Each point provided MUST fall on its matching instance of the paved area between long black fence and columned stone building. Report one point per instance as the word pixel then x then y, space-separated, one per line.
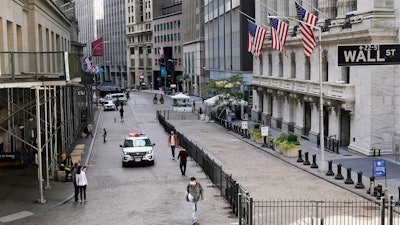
pixel 267 174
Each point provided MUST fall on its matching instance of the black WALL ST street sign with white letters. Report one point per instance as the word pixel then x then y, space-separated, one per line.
pixel 368 54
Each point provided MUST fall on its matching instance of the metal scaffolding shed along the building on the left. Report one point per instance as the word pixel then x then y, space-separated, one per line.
pixel 43 107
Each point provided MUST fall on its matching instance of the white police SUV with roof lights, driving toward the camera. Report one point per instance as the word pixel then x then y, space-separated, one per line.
pixel 137 148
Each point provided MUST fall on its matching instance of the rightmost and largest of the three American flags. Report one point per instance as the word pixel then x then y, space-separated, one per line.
pixel 307 28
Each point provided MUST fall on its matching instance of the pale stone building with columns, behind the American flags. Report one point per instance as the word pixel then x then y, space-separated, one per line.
pixel 360 103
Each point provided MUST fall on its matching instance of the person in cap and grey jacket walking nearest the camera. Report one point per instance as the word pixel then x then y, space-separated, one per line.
pixel 194 193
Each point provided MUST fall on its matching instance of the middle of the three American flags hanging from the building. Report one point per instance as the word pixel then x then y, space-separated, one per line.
pixel 279 30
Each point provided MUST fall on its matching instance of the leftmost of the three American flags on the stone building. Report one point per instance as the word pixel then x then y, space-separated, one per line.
pixel 256 39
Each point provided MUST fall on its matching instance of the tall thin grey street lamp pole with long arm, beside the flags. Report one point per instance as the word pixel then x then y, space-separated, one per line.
pixel 321 100
